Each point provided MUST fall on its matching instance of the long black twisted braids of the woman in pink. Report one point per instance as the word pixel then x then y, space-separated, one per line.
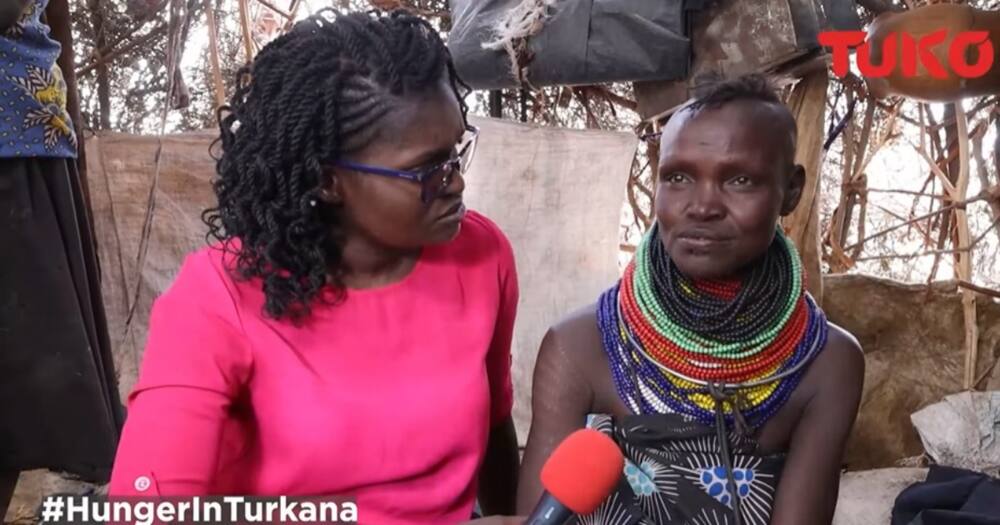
pixel 312 95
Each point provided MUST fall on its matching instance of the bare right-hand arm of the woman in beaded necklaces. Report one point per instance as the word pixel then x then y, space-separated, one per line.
pixel 810 481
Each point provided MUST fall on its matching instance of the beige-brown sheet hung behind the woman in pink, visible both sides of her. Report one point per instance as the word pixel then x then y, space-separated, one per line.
pixel 558 195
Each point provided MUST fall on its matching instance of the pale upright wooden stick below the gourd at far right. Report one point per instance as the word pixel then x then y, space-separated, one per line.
pixel 964 267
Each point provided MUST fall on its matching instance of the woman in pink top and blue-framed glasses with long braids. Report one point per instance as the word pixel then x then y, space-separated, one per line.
pixel 348 332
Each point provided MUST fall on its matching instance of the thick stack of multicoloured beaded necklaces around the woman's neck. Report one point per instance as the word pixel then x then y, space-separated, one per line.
pixel 699 348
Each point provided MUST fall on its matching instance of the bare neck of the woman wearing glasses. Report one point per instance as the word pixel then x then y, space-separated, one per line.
pixel 368 264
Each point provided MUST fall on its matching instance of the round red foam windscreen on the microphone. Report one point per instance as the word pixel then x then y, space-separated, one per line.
pixel 583 470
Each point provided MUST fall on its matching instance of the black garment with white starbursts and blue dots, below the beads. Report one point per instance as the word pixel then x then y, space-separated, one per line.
pixel 675 474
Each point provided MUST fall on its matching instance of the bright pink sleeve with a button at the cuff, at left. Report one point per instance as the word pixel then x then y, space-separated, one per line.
pixel 195 364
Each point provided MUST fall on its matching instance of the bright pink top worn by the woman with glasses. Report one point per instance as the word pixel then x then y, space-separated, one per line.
pixel 387 397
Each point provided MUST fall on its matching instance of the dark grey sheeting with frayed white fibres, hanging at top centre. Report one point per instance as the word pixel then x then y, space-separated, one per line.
pixel 583 42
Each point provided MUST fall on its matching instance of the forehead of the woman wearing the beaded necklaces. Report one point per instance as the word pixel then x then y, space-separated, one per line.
pixel 741 131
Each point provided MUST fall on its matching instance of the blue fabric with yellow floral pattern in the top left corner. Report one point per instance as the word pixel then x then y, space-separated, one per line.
pixel 33 117
